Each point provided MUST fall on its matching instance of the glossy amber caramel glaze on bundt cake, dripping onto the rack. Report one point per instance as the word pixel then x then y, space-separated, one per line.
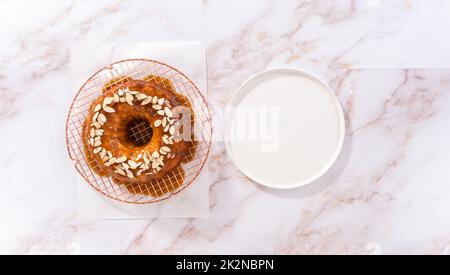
pixel 114 138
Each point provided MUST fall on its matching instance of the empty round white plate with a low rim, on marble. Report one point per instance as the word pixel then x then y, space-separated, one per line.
pixel 284 128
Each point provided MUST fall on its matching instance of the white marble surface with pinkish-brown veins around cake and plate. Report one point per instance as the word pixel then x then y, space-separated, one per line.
pixel 386 60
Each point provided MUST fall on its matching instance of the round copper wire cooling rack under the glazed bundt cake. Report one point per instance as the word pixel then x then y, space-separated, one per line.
pixel 137 69
